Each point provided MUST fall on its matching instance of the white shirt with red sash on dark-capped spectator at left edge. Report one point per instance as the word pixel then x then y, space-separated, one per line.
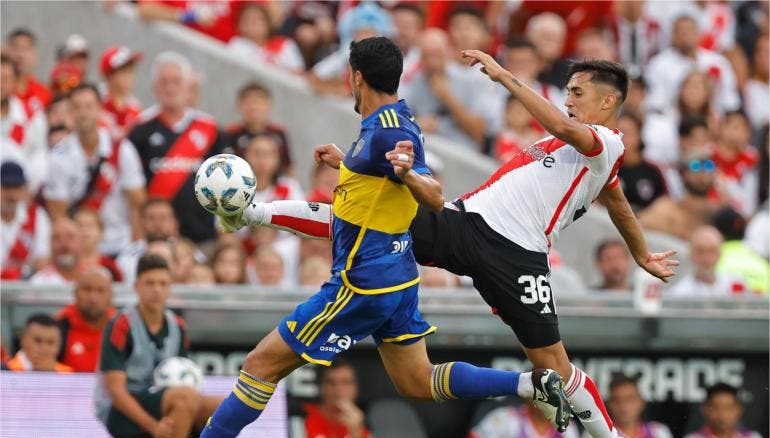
pixel 25 239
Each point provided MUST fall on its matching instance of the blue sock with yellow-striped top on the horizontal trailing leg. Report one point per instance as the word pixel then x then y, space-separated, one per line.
pixel 454 380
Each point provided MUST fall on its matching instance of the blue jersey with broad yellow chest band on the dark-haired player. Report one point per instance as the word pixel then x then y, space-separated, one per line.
pixel 373 208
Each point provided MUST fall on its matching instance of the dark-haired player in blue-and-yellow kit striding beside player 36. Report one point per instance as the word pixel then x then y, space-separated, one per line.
pixel 373 288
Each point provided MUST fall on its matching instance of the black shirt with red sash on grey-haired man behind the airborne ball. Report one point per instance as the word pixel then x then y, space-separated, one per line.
pixel 170 156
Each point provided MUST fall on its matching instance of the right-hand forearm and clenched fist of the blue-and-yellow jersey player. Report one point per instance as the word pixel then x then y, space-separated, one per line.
pixel 425 189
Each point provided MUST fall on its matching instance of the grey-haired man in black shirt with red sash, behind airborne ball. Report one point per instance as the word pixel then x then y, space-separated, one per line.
pixel 172 141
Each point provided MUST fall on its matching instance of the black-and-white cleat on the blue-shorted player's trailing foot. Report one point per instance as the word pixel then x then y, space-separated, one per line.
pixel 550 398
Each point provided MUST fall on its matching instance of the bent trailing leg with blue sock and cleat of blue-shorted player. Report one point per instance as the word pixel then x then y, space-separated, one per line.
pixel 416 378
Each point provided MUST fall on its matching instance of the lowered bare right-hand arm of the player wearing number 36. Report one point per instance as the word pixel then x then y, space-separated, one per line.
pixel 622 216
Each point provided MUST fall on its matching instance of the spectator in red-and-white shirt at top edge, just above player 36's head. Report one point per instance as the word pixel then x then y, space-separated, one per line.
pixel 636 35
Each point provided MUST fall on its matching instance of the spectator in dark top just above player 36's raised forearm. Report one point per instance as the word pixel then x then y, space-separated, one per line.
pixel 548 32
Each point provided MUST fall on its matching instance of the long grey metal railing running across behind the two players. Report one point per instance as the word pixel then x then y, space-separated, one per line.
pixel 222 315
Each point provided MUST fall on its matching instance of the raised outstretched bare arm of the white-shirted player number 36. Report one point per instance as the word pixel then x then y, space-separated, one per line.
pixel 554 121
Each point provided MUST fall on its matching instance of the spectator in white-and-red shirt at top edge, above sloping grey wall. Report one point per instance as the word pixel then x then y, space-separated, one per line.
pixel 256 43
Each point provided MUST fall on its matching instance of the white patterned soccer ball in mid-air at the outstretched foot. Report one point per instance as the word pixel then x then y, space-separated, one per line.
pixel 224 184
